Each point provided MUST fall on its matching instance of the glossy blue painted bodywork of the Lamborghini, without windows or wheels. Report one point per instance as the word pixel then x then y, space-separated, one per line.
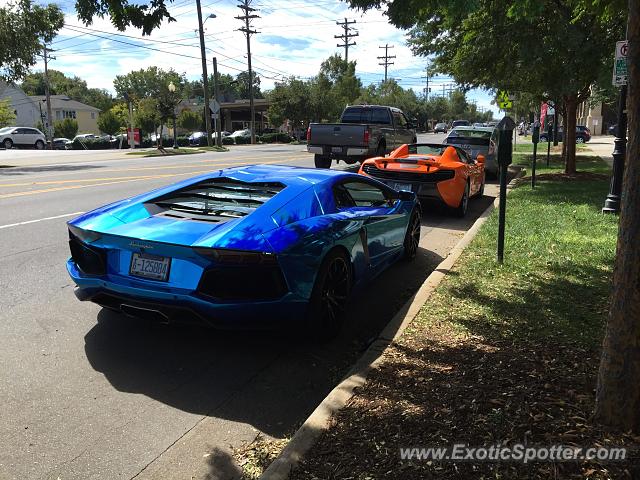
pixel 299 225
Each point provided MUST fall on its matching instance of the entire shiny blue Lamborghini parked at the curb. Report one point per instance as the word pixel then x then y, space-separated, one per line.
pixel 239 245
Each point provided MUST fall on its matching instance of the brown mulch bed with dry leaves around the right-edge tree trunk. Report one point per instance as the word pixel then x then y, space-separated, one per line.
pixel 437 387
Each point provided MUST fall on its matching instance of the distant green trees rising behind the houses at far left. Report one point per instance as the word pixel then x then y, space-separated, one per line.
pixel 73 87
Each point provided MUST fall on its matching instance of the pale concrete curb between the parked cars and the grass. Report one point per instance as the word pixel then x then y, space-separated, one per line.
pixel 310 431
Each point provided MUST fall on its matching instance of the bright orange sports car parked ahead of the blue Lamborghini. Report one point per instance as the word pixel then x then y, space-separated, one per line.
pixel 443 172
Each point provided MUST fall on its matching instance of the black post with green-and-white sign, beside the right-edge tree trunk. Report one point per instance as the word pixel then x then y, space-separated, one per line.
pixel 612 202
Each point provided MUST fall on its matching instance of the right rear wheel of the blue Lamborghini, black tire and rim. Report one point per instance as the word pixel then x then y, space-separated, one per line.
pixel 329 296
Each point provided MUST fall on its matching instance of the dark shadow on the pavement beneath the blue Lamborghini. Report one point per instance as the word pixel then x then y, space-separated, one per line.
pixel 271 380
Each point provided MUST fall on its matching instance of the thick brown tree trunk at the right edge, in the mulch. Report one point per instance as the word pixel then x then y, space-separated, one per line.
pixel 618 390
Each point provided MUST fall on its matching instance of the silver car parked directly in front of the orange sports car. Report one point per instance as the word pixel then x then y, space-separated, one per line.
pixel 476 141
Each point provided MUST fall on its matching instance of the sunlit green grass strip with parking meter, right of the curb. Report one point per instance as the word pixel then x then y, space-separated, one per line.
pixel 555 281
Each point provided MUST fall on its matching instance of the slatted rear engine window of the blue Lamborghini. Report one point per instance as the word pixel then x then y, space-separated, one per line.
pixel 222 198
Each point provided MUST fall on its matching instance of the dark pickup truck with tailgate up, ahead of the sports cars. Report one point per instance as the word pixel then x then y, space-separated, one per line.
pixel 364 131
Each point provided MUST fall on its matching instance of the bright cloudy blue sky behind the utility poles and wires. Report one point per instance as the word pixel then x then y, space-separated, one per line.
pixel 294 38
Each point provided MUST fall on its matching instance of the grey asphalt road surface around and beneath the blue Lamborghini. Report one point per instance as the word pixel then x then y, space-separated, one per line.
pixel 88 394
